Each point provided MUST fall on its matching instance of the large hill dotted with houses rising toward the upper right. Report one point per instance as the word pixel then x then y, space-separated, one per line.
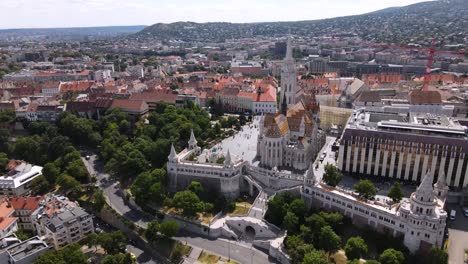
pixel 445 19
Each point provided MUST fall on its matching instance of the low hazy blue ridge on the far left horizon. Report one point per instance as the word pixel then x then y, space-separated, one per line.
pixel 67 32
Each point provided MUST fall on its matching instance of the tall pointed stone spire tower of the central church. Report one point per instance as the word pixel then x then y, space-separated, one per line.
pixel 288 79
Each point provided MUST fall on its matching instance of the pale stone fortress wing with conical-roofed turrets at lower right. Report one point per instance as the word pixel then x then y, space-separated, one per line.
pixel 419 220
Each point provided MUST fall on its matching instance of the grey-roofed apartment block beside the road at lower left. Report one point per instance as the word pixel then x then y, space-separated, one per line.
pixel 61 221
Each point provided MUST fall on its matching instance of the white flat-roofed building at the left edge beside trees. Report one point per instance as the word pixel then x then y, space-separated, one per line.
pixel 19 177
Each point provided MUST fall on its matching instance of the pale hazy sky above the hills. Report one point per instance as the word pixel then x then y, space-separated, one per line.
pixel 88 13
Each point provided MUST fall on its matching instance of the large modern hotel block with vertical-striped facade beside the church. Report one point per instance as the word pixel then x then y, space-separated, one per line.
pixel 404 147
